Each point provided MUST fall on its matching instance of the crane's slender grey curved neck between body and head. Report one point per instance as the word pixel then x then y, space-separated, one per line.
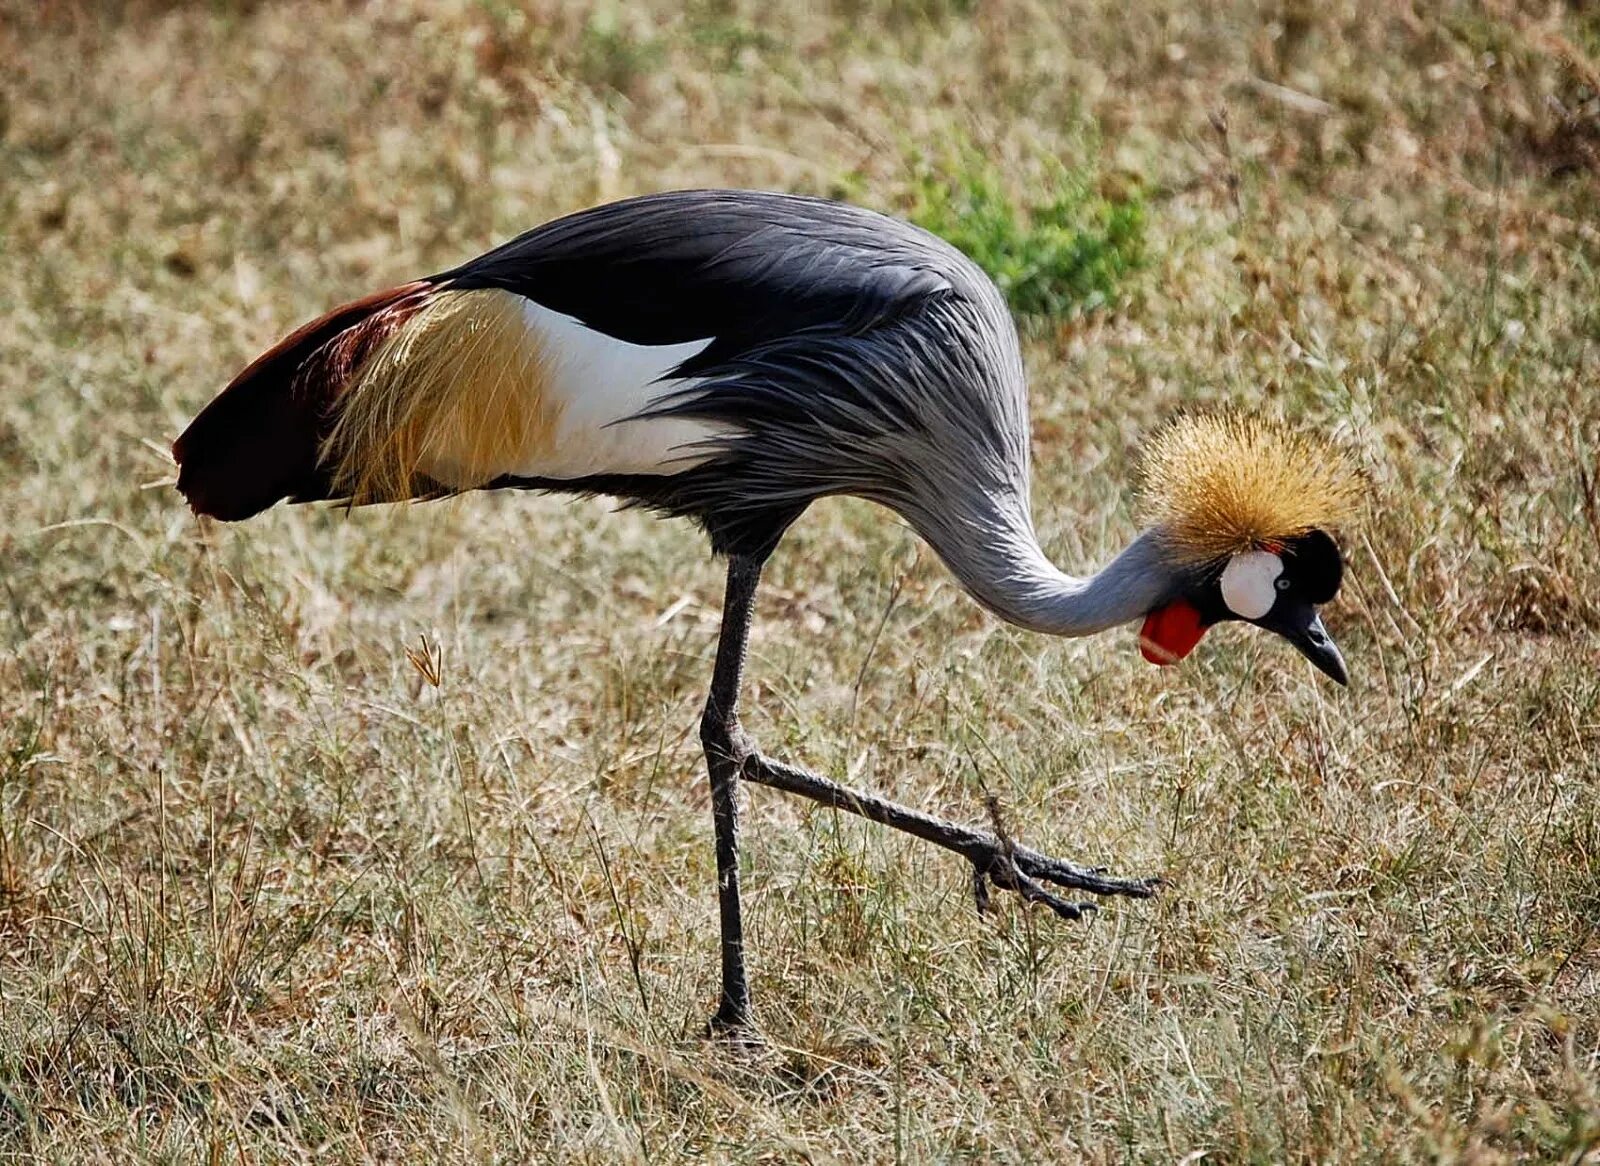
pixel 991 548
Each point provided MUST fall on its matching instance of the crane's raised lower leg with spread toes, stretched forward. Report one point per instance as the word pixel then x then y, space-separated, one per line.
pixel 996 860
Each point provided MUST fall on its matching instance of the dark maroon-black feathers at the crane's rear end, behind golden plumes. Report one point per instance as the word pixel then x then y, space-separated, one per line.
pixel 260 441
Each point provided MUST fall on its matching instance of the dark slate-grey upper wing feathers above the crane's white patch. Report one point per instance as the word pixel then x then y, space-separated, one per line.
pixel 738 268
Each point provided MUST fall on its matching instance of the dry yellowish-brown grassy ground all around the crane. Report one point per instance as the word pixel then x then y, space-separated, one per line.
pixel 271 893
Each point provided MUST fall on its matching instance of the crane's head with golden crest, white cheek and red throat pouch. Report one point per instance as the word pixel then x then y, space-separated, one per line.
pixel 1242 511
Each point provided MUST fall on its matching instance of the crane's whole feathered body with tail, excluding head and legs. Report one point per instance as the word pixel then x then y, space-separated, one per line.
pixel 729 356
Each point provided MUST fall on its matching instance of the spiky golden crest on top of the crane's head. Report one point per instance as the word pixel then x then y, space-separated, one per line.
pixel 1223 484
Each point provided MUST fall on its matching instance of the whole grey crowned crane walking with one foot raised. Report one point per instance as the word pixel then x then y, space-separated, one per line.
pixel 732 357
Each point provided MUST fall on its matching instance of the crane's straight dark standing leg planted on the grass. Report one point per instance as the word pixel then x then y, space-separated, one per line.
pixel 727 748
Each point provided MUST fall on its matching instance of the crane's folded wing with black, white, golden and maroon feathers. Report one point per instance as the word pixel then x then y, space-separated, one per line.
pixel 554 356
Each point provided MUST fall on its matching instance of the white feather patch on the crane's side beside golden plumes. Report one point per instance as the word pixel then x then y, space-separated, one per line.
pixel 598 383
